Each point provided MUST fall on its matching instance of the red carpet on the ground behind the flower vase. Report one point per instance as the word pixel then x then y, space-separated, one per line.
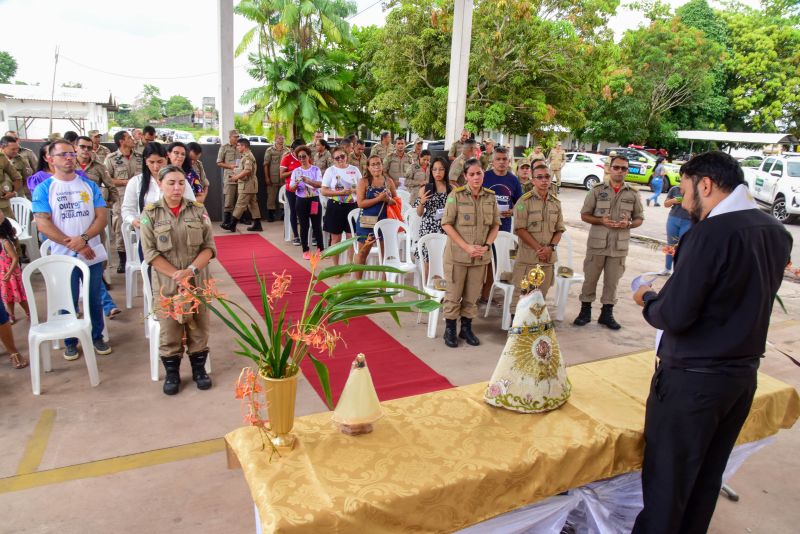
pixel 395 370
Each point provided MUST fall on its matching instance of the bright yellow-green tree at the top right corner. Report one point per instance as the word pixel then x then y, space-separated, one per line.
pixel 764 68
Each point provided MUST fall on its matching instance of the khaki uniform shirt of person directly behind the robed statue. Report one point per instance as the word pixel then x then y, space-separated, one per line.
pixel 542 219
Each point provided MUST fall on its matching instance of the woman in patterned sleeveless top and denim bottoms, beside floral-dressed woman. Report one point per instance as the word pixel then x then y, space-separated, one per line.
pixel 374 192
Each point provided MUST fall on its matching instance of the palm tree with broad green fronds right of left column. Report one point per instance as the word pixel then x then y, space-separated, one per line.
pixel 299 59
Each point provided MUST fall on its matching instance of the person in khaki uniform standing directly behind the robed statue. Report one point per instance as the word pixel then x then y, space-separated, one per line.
pixel 539 223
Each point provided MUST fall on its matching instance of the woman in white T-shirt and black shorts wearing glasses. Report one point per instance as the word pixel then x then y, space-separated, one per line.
pixel 339 185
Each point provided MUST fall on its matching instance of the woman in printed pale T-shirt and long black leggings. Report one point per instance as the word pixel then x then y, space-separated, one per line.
pixel 305 182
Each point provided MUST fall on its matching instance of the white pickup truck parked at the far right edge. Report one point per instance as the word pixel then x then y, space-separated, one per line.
pixel 775 184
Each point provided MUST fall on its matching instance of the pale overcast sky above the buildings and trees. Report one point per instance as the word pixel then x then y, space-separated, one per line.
pixel 167 43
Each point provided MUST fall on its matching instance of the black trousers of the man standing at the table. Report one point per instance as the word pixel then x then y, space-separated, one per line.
pixel 691 425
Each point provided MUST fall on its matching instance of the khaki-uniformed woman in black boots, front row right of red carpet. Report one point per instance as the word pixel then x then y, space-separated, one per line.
pixel 471 221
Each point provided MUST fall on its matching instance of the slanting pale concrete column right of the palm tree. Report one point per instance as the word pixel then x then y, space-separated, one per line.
pixel 459 70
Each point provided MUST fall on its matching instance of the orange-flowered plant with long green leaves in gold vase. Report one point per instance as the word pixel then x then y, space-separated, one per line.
pixel 278 343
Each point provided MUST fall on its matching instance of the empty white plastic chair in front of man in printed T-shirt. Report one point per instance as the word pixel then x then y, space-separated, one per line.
pixel 55 270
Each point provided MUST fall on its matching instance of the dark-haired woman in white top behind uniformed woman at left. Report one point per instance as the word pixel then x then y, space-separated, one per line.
pixel 143 188
